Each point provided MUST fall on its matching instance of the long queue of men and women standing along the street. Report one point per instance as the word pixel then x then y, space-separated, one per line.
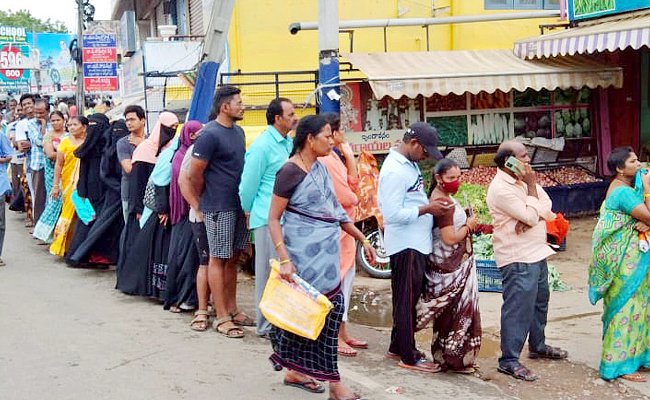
pixel 173 210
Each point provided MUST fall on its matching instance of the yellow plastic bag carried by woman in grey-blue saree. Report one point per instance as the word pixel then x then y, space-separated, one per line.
pixel 294 307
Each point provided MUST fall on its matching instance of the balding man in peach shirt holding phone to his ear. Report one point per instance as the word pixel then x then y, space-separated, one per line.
pixel 520 209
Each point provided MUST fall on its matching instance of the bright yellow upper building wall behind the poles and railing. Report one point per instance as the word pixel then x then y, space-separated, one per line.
pixel 260 41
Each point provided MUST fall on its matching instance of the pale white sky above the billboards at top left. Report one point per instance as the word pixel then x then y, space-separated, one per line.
pixel 64 10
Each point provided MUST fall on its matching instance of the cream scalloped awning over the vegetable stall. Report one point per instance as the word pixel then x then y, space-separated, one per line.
pixel 443 72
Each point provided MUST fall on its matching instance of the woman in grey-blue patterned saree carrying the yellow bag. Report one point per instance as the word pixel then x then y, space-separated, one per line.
pixel 308 244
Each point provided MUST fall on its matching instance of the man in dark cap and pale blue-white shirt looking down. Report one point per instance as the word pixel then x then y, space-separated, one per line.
pixel 408 224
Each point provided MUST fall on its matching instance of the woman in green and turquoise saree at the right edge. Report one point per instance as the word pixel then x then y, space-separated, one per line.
pixel 619 271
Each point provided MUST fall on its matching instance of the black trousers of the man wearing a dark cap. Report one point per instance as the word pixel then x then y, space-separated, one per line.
pixel 407 282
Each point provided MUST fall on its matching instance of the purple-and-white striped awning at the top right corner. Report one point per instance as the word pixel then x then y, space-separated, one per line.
pixel 632 30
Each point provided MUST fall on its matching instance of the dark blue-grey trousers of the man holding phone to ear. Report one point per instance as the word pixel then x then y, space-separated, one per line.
pixel 524 309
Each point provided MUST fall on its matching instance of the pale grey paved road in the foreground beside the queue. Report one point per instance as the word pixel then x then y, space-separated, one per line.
pixel 68 334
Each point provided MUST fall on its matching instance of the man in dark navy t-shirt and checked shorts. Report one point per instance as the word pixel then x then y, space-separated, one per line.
pixel 215 172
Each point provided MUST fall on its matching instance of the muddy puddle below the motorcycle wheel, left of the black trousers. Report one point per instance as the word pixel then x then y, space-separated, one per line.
pixel 371 309
